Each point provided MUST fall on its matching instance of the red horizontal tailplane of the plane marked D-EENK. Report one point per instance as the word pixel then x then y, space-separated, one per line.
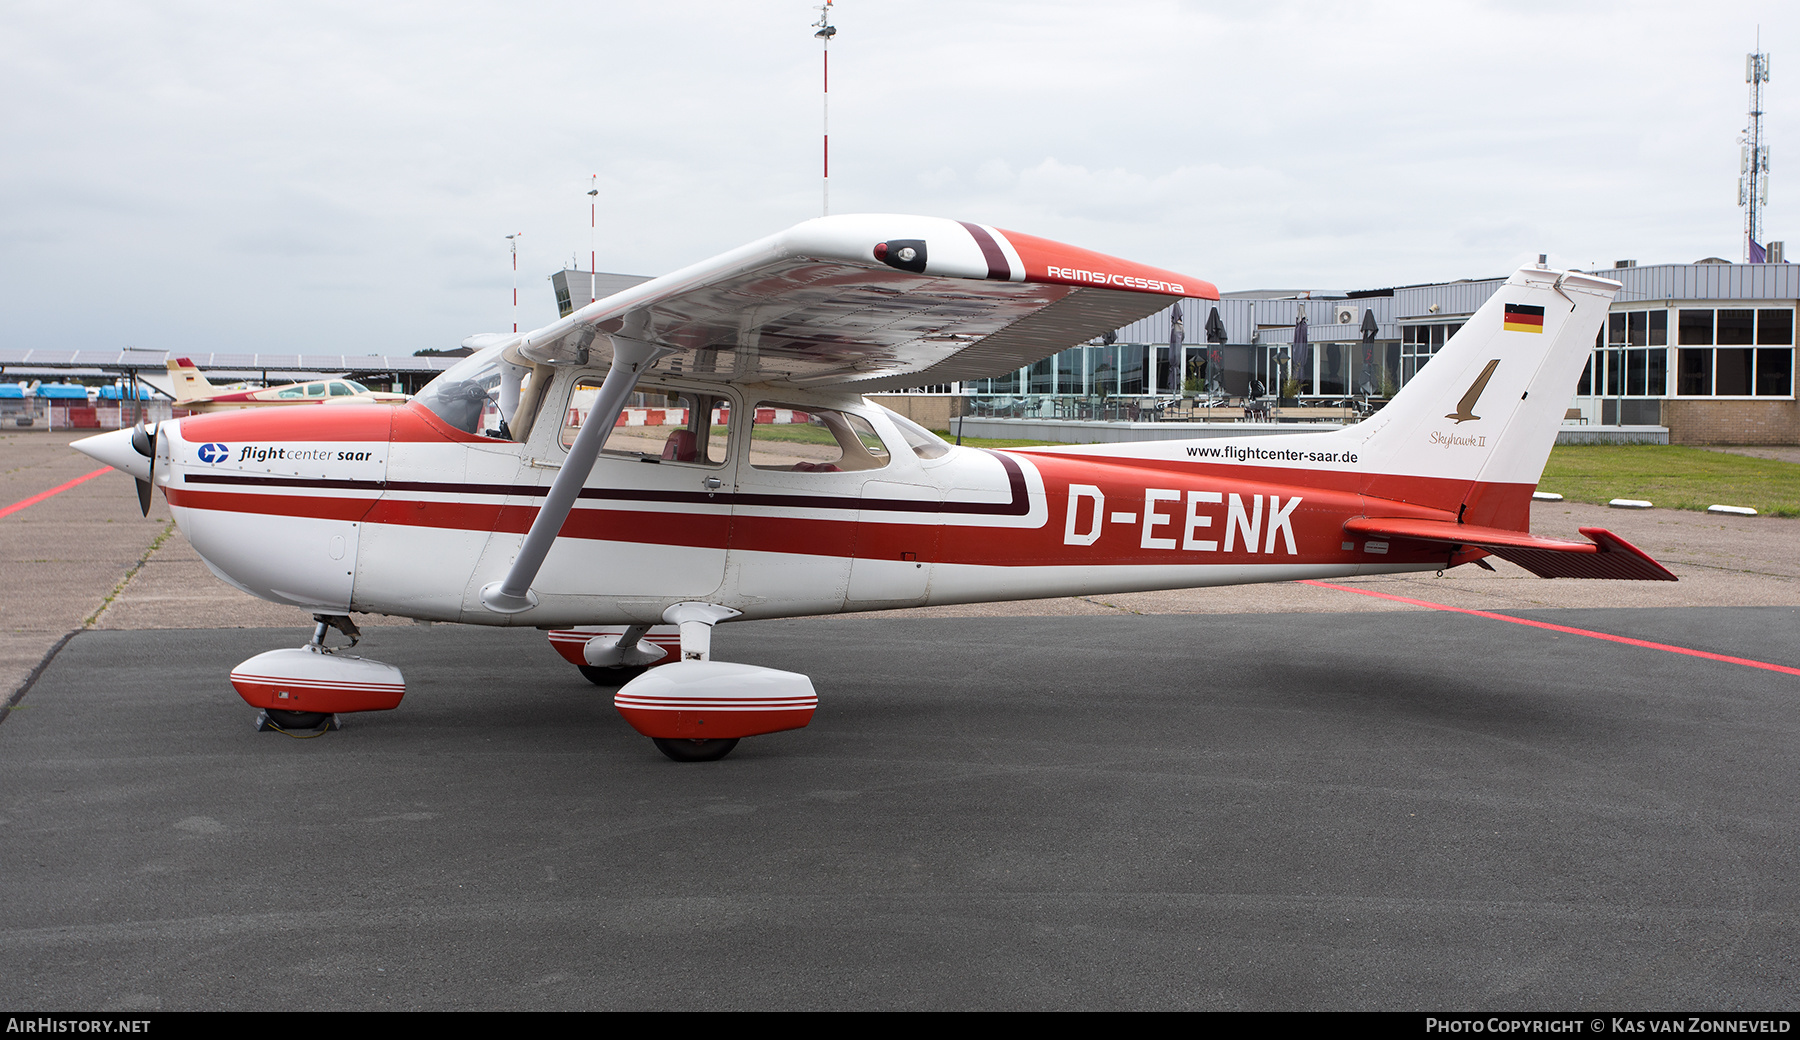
pixel 1605 557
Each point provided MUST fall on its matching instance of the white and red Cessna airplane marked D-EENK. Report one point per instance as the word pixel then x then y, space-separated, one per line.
pixel 514 490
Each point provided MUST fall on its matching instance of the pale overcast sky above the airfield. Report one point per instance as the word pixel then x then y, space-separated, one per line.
pixel 341 177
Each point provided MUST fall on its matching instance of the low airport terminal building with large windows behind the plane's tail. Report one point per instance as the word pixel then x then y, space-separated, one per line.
pixel 1705 350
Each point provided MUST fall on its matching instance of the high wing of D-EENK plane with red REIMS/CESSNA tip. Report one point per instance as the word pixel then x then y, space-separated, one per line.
pixel 868 303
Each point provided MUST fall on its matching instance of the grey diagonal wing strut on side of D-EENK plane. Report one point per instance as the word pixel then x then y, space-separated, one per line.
pixel 514 595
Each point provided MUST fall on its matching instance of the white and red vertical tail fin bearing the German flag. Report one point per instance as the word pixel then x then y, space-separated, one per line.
pixel 1473 429
